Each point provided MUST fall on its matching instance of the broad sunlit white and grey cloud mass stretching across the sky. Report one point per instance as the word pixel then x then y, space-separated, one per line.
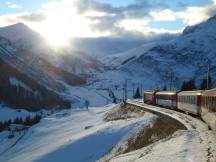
pixel 91 18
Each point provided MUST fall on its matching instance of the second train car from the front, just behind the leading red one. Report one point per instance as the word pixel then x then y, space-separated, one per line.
pixel 167 99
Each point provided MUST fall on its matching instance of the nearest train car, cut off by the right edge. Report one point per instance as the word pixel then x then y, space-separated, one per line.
pixel 208 108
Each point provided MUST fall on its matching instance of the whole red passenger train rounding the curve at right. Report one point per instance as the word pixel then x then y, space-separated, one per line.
pixel 200 103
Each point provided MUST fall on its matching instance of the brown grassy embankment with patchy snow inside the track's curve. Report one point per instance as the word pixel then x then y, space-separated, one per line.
pixel 162 127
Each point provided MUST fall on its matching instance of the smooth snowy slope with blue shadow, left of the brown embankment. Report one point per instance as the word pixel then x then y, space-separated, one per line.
pixel 76 135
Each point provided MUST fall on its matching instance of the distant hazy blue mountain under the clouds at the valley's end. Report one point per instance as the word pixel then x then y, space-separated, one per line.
pixel 107 46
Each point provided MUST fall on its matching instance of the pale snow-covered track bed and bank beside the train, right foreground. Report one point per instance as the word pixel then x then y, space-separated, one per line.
pixel 196 144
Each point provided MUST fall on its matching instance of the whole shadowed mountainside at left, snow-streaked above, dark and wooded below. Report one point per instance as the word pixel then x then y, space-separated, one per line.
pixel 28 82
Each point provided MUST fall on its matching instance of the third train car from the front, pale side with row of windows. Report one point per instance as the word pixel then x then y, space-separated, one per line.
pixel 190 102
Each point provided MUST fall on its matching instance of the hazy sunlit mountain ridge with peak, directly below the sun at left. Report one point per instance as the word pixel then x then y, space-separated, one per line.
pixel 69 59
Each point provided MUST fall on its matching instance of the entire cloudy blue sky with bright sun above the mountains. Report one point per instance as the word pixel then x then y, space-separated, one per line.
pixel 62 19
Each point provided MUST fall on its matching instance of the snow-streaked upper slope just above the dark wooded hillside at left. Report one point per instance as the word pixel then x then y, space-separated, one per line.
pixel 35 67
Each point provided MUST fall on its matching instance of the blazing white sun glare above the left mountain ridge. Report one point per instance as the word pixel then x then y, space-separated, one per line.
pixel 64 24
